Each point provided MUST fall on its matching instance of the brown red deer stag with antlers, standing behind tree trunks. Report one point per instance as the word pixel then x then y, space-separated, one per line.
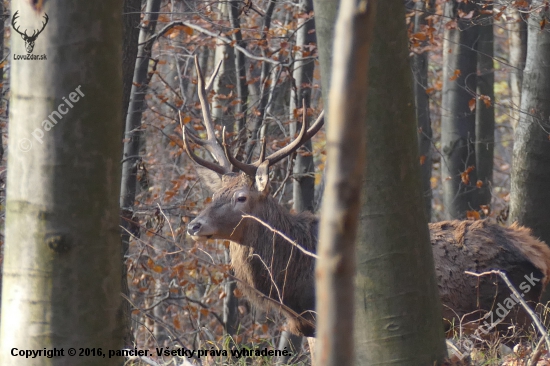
pixel 272 271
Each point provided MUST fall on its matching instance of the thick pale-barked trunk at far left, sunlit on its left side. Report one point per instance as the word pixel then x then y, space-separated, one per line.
pixel 62 252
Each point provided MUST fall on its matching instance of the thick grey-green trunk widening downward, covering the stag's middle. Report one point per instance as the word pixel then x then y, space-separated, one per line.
pixel 398 310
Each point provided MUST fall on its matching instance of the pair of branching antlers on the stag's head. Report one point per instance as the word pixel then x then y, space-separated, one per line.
pixel 223 156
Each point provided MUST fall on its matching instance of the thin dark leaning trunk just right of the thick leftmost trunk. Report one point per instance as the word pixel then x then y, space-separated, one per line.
pixel 132 132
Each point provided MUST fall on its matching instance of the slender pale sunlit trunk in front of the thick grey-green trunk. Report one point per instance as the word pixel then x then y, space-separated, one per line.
pixel 335 267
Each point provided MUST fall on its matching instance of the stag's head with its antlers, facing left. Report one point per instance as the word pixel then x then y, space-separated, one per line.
pixel 240 188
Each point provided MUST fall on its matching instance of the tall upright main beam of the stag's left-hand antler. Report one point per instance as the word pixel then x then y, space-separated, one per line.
pixel 211 143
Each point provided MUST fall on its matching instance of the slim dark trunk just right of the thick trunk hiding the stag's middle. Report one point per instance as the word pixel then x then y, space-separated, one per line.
pixel 422 103
